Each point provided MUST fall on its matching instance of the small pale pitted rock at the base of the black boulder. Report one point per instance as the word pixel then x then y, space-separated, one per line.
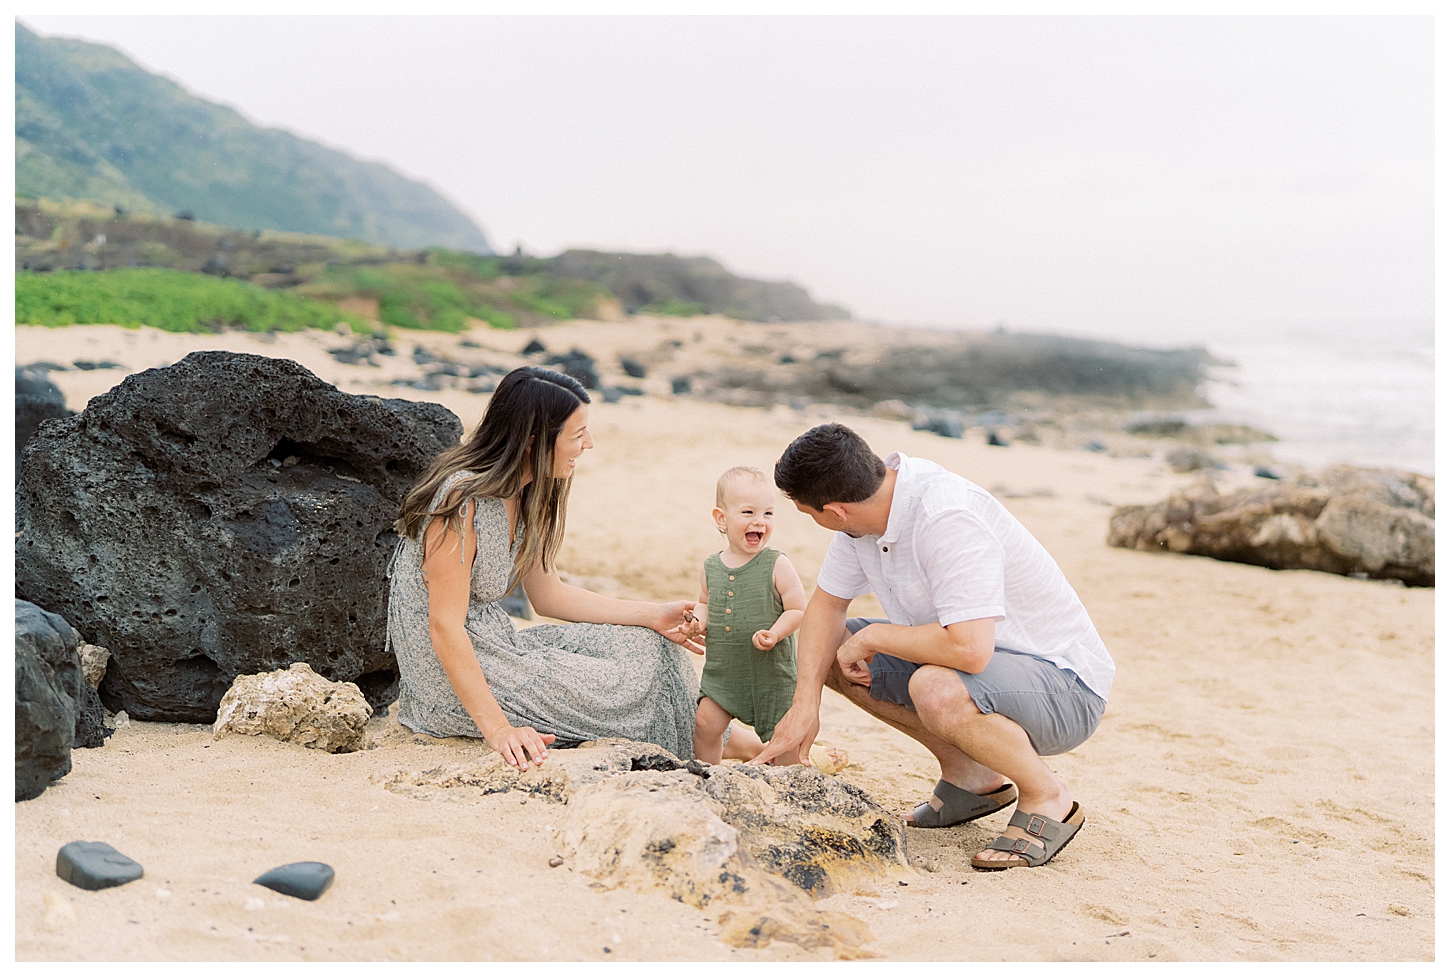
pixel 295 705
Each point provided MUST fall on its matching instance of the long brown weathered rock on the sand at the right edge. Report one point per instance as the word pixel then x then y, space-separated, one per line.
pixel 1367 523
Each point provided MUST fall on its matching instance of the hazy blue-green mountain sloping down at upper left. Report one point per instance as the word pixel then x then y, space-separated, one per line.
pixel 94 125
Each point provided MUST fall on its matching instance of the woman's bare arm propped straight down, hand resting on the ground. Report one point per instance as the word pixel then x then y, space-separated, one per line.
pixel 447 573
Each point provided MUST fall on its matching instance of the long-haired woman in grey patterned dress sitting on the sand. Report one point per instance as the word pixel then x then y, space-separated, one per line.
pixel 488 514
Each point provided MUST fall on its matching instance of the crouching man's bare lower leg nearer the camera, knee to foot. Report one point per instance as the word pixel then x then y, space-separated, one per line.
pixel 946 710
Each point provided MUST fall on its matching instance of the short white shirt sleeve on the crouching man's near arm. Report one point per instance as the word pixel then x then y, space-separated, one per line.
pixel 965 566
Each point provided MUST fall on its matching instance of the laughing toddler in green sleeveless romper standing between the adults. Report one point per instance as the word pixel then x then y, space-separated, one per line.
pixel 752 604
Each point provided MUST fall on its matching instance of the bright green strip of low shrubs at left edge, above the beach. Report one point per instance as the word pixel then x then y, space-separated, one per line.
pixel 166 299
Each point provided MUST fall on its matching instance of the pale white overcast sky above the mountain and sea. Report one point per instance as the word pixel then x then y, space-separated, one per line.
pixel 1113 176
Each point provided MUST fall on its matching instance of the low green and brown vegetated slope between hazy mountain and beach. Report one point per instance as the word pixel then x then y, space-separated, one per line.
pixel 80 260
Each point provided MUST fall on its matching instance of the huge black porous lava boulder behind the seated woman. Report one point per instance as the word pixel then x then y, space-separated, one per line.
pixel 227 515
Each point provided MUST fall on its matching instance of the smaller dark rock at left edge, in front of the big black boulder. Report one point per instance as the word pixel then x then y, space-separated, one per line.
pixel 54 710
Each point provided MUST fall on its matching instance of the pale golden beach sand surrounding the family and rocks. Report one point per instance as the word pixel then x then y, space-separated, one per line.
pixel 1261 786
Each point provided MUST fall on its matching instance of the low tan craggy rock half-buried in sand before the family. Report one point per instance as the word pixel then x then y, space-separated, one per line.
pixel 755 843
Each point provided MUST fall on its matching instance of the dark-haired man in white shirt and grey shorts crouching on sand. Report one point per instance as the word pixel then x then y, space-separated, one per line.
pixel 988 659
